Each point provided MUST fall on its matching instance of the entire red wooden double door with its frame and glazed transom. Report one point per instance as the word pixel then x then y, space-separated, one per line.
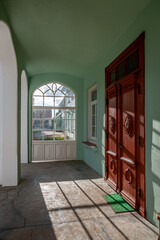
pixel 125 125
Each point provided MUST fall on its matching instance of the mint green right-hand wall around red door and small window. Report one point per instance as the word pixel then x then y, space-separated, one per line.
pixel 147 21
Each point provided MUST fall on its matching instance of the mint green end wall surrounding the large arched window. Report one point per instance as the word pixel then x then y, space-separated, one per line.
pixel 75 84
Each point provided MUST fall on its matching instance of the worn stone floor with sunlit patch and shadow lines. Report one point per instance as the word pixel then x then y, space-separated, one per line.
pixel 64 201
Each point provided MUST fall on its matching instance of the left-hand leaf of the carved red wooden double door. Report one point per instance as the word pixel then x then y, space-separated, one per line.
pixel 111 151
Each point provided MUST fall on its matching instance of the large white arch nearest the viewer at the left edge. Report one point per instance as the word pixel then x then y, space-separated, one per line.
pixel 8 108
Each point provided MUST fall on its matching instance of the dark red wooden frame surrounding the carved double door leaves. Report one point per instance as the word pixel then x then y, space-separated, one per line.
pixel 138 45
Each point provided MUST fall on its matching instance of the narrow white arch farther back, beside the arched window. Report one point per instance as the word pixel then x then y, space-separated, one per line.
pixel 24 125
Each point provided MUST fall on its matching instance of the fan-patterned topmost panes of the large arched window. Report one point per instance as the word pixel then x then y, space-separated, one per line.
pixel 53 89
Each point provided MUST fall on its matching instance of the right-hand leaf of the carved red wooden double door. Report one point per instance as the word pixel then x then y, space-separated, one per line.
pixel 127 140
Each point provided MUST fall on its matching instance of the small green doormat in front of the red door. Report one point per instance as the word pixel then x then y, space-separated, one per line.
pixel 118 204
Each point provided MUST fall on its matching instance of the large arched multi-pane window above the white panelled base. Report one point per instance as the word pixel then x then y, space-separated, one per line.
pixel 53 113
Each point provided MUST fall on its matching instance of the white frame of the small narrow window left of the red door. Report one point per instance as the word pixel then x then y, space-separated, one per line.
pixel 91 138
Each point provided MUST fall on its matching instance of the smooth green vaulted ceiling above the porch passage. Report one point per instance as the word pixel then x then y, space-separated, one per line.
pixel 68 36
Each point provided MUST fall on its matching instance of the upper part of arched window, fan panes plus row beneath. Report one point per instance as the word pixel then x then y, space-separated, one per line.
pixel 53 95
